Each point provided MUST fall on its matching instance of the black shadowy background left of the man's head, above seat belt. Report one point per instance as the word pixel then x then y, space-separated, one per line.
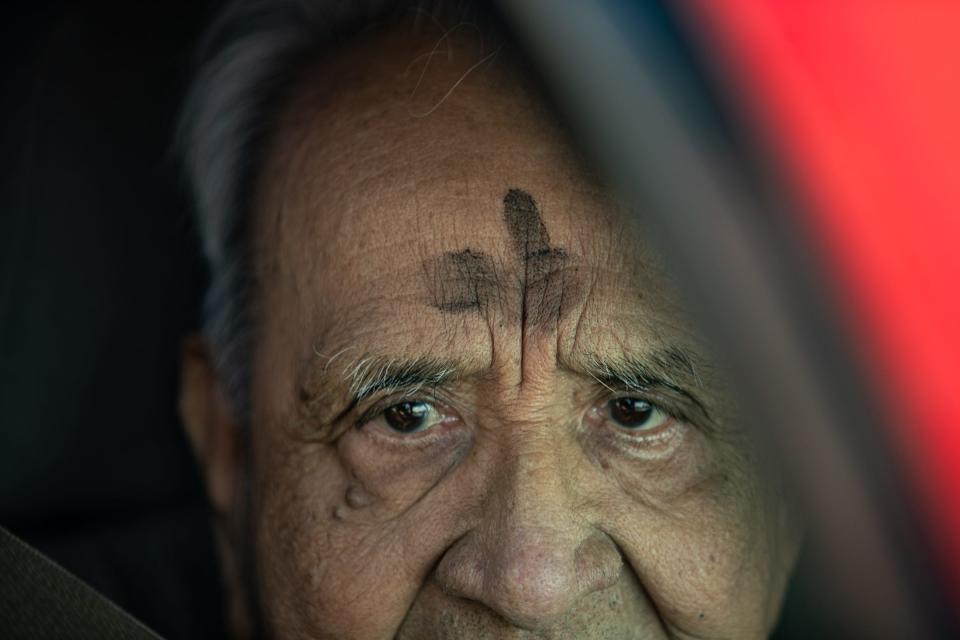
pixel 100 275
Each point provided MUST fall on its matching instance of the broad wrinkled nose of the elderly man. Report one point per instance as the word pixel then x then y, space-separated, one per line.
pixel 531 558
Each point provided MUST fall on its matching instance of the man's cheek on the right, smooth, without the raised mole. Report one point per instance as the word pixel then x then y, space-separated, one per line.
pixel 695 529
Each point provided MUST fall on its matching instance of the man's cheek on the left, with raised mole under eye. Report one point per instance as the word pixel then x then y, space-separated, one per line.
pixel 347 532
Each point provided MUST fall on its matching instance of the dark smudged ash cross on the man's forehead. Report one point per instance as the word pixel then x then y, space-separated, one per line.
pixel 468 281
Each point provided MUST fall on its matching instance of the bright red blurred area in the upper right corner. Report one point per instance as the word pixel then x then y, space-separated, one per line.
pixel 862 101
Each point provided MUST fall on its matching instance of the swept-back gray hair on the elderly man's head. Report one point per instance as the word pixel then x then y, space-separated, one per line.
pixel 249 62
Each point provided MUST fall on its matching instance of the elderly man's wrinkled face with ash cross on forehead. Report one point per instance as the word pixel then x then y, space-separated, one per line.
pixel 477 409
